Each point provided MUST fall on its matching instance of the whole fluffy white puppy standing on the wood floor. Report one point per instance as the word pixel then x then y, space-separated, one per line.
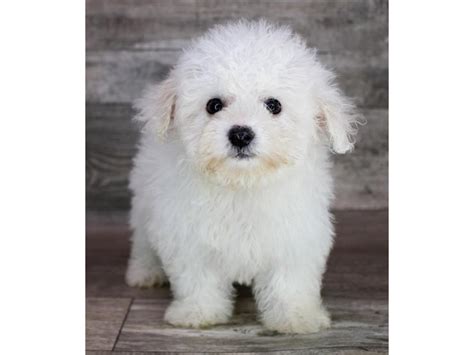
pixel 232 181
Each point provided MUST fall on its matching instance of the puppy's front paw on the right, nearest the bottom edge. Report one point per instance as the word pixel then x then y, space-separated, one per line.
pixel 298 320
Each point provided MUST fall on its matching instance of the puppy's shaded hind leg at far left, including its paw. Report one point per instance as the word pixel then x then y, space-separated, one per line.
pixel 144 265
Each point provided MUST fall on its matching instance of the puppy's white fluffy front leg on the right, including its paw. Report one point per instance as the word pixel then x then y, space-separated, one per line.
pixel 290 302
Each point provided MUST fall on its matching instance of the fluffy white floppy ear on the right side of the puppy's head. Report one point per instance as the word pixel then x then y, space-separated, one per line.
pixel 337 115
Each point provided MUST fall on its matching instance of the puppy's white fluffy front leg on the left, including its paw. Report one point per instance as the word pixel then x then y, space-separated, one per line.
pixel 202 298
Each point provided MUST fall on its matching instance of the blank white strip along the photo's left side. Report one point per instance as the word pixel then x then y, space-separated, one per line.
pixel 42 138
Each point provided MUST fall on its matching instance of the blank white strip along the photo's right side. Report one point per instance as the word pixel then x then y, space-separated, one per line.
pixel 431 177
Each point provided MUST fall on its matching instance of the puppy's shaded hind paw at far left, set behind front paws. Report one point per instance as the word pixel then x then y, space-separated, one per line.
pixel 139 275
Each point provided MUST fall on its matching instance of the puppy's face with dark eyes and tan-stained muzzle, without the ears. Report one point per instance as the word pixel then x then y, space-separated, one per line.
pixel 238 127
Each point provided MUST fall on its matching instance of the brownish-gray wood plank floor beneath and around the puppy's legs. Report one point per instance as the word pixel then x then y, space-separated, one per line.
pixel 128 320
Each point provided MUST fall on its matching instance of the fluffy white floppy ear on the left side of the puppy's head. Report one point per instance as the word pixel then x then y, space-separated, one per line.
pixel 156 106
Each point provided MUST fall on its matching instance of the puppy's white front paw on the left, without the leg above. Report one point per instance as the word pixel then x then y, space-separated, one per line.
pixel 190 314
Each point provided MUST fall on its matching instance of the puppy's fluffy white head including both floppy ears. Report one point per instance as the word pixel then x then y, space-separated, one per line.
pixel 247 100
